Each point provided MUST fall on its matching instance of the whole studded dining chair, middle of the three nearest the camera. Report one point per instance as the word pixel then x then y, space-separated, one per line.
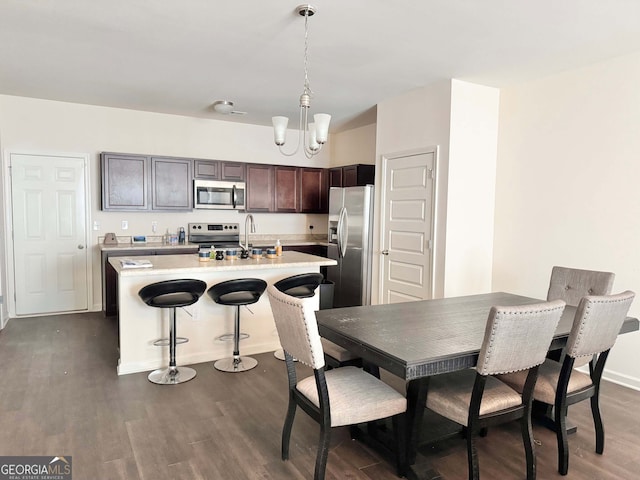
pixel 516 338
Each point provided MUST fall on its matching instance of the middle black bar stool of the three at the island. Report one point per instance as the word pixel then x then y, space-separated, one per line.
pixel 238 292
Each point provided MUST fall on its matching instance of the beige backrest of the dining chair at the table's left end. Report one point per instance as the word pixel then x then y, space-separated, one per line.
pixel 297 327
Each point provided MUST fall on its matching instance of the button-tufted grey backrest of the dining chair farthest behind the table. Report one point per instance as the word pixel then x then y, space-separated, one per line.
pixel 571 284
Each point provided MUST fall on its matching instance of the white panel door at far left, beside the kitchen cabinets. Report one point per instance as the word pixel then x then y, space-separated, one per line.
pixel 49 233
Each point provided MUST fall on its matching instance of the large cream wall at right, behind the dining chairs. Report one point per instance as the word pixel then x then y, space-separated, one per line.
pixel 567 186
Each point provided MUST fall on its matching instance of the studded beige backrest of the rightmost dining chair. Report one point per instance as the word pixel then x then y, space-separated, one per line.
pixel 597 323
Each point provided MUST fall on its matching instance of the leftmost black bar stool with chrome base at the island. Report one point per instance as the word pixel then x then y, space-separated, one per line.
pixel 172 294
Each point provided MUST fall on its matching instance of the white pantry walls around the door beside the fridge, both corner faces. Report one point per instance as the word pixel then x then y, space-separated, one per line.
pixel 461 119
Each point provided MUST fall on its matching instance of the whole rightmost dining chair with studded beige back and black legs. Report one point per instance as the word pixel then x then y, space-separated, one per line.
pixel 596 325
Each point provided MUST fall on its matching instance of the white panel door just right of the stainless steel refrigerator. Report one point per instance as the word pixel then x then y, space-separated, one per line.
pixel 407 244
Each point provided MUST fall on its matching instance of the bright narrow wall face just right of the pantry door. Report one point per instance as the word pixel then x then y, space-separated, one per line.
pixel 470 202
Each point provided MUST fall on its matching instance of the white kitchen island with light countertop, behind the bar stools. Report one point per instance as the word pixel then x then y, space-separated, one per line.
pixel 204 322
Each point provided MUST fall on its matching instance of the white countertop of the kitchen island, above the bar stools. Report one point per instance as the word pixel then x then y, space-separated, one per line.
pixel 188 263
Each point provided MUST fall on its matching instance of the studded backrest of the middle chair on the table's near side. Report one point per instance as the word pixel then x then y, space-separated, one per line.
pixel 518 337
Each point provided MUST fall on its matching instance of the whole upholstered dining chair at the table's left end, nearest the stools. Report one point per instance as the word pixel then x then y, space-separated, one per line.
pixel 333 398
